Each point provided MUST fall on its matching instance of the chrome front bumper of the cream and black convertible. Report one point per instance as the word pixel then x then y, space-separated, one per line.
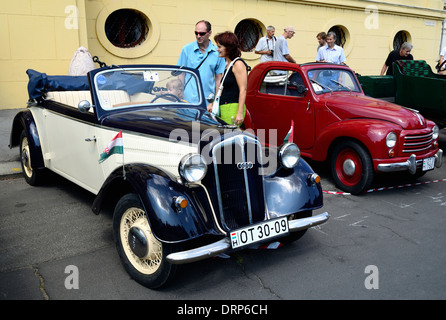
pixel 223 245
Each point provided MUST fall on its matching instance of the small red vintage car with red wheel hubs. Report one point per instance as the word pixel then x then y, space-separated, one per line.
pixel 334 121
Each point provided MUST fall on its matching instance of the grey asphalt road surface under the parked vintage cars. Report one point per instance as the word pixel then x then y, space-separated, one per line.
pixel 385 244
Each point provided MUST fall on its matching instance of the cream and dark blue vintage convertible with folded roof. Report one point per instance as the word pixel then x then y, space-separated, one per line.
pixel 184 185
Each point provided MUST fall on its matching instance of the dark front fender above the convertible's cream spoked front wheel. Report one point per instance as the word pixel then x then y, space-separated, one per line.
pixel 157 191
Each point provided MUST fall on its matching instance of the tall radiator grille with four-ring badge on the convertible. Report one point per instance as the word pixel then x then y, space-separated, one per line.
pixel 239 184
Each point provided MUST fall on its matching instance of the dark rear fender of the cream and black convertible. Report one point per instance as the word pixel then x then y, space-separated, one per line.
pixel 24 120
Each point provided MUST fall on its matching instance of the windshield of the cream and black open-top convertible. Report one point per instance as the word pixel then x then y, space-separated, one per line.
pixel 129 87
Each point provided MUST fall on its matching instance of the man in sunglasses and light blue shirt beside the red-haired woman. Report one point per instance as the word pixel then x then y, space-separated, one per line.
pixel 202 54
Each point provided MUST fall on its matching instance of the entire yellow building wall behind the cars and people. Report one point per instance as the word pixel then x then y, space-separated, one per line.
pixel 44 34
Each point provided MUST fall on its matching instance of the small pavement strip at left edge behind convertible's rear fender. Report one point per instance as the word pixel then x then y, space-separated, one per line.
pixel 9 158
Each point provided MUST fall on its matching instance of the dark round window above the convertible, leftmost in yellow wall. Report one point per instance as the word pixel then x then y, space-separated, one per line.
pixel 126 28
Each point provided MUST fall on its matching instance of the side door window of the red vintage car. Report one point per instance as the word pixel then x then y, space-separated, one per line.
pixel 284 83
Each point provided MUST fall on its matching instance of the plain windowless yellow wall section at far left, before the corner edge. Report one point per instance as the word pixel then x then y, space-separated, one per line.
pixel 36 34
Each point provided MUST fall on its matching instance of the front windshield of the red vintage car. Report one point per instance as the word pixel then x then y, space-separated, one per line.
pixel 331 80
